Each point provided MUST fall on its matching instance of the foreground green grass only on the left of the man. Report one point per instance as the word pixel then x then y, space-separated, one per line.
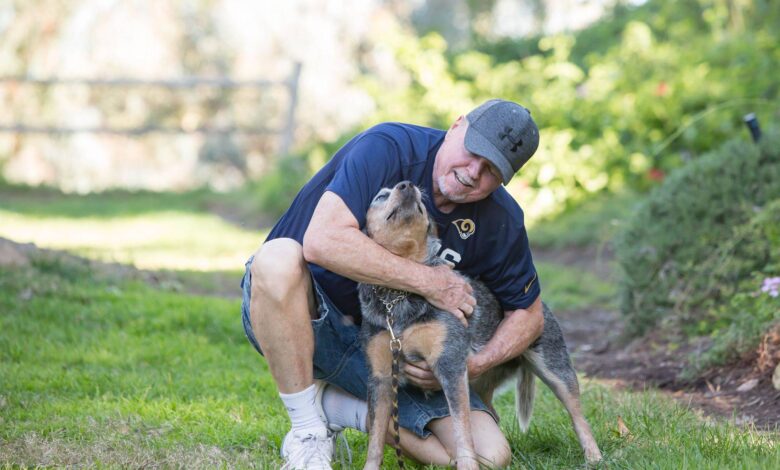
pixel 90 364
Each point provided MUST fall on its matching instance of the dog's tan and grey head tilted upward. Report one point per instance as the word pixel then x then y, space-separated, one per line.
pixel 397 220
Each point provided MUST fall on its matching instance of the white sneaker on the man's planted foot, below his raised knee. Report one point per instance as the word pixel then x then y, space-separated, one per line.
pixel 307 450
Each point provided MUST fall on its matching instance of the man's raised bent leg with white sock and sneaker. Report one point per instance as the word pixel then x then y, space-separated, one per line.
pixel 281 309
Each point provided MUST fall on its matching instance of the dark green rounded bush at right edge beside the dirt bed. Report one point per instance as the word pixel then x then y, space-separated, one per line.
pixel 699 235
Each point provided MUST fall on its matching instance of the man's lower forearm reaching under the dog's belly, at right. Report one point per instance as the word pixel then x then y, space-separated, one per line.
pixel 516 332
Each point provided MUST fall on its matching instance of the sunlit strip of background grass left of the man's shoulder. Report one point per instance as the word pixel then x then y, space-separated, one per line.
pixel 148 230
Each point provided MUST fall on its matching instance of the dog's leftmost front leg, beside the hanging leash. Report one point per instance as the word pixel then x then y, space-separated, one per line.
pixel 379 397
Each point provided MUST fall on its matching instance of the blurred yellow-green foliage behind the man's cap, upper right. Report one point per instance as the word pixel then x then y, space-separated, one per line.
pixel 614 114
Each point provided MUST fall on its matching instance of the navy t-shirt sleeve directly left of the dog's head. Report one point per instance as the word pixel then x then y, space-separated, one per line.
pixel 372 163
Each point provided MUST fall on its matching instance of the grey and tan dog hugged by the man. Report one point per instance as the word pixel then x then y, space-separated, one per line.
pixel 398 221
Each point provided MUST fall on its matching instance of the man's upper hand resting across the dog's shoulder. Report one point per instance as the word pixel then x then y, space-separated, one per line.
pixel 448 291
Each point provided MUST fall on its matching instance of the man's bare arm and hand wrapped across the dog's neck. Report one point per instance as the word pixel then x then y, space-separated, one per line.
pixel 334 241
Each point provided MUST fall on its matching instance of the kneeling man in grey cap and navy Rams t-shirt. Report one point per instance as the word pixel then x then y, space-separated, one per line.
pixel 300 301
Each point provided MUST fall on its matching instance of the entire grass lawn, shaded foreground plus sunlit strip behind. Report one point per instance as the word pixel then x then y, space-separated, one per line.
pixel 103 370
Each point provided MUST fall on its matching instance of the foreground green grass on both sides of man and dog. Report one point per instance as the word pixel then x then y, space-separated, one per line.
pixel 108 372
